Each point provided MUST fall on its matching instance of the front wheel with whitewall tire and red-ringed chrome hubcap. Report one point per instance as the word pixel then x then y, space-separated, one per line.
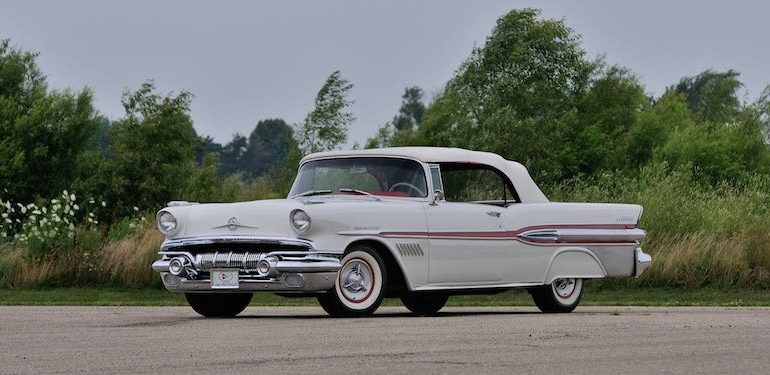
pixel 360 284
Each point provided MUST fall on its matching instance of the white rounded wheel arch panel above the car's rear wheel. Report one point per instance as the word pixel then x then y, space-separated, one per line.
pixel 574 262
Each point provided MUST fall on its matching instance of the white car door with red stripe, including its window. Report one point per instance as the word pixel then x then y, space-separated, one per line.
pixel 468 245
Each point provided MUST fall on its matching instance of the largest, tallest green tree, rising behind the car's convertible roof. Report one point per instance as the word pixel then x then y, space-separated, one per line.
pixel 517 95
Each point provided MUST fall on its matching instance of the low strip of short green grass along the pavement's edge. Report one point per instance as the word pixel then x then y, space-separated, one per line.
pixel 600 297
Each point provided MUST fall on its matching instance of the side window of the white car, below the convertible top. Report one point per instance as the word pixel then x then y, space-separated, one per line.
pixel 475 183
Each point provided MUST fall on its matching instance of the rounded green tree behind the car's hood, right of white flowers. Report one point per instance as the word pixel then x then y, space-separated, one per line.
pixel 153 148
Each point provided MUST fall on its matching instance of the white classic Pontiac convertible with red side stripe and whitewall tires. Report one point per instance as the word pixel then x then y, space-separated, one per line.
pixel 417 223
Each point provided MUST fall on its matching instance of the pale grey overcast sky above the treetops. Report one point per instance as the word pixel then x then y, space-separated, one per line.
pixel 247 61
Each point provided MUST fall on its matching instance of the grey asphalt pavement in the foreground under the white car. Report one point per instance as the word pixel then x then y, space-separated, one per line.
pixel 302 340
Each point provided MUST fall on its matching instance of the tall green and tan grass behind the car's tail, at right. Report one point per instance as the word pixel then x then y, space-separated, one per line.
pixel 698 235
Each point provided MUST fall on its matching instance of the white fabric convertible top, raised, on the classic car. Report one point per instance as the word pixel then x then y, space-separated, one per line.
pixel 517 173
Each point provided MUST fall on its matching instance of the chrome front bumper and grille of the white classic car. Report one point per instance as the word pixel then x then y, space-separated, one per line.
pixel 262 264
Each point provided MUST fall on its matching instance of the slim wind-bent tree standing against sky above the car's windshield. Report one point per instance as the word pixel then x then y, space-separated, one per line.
pixel 326 126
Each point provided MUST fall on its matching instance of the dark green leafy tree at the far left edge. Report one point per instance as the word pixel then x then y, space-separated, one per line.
pixel 43 132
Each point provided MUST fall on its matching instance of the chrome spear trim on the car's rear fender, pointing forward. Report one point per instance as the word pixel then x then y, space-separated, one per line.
pixel 583 235
